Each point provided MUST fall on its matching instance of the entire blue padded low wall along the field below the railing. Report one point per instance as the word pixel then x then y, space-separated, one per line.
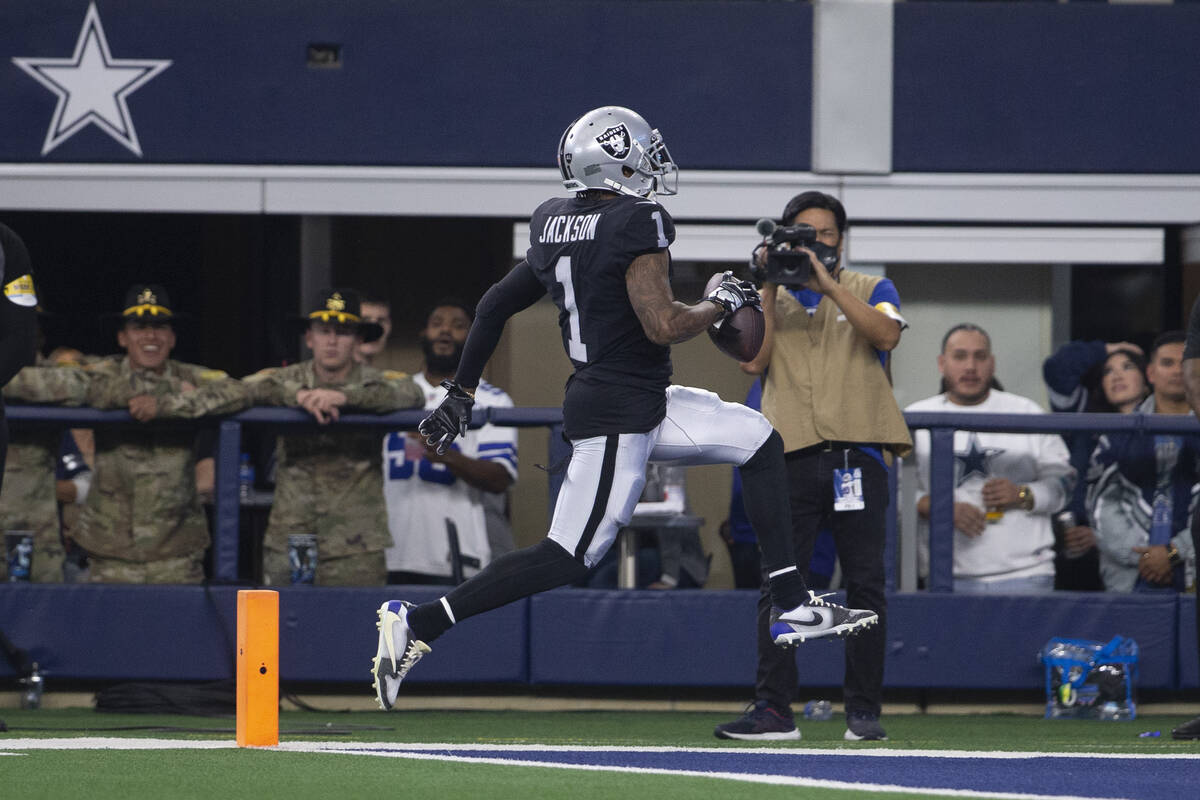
pixel 580 637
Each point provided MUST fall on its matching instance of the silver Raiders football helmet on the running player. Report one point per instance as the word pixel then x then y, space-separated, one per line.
pixel 615 151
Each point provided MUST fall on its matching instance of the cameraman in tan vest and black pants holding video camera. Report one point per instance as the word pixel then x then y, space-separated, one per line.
pixel 827 392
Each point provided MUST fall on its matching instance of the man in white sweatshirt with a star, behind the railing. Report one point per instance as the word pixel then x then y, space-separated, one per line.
pixel 1006 485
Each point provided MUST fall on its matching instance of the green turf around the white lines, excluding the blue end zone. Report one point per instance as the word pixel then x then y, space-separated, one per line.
pixel 231 773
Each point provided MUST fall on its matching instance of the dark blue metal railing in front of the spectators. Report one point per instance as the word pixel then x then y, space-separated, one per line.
pixel 941 426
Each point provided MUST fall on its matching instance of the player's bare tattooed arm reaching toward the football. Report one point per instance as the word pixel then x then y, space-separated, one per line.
pixel 665 320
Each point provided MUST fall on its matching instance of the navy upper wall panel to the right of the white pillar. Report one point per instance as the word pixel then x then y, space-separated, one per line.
pixel 1021 87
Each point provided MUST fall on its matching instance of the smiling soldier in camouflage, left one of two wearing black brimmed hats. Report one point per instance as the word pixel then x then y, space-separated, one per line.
pixel 143 522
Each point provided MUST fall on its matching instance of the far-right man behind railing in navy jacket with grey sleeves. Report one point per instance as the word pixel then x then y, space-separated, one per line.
pixel 1143 489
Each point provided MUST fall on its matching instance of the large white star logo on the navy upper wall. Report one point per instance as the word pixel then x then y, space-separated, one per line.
pixel 92 87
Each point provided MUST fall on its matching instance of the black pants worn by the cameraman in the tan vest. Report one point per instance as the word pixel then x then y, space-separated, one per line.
pixel 860 538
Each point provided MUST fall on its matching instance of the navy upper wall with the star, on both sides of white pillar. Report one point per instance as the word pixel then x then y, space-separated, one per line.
pixel 979 87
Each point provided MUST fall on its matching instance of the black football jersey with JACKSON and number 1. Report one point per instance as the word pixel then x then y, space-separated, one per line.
pixel 580 250
